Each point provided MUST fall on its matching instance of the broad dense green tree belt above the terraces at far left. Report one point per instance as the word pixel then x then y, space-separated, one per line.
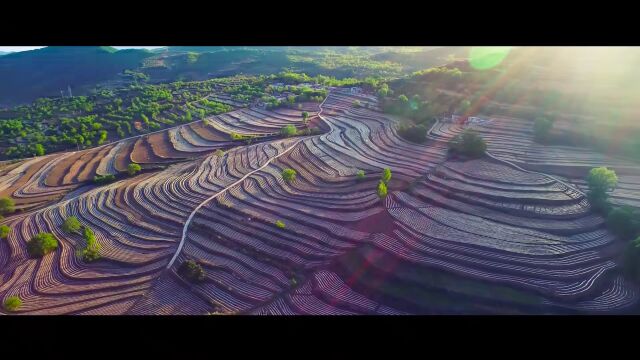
pixel 55 124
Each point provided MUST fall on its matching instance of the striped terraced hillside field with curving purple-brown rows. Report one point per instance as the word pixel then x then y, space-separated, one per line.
pixel 480 236
